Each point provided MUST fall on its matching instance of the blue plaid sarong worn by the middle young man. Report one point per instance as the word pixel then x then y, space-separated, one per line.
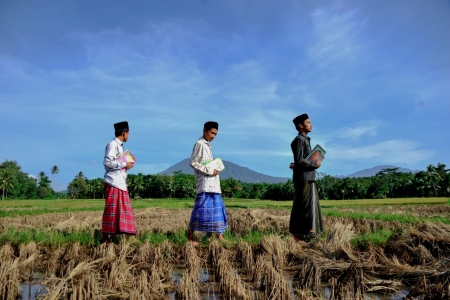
pixel 209 213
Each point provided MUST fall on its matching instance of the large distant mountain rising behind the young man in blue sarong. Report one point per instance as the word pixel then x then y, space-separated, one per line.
pixel 231 170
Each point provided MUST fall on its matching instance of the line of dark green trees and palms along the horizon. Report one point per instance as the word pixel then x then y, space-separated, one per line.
pixel 388 183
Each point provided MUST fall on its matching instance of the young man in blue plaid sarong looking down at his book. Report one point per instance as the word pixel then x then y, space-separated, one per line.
pixel 209 213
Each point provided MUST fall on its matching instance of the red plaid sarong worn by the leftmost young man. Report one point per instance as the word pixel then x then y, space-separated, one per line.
pixel 118 215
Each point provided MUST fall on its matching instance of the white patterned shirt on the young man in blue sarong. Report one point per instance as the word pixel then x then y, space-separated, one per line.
pixel 204 180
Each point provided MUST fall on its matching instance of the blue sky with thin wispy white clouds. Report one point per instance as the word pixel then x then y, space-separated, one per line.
pixel 374 77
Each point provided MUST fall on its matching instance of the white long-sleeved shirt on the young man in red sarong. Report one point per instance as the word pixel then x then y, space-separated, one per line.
pixel 114 176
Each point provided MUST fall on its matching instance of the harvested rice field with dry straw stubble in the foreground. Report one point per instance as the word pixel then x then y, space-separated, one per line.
pixel 361 255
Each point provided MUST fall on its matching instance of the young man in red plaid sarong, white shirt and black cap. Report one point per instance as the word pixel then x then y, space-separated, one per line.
pixel 118 215
